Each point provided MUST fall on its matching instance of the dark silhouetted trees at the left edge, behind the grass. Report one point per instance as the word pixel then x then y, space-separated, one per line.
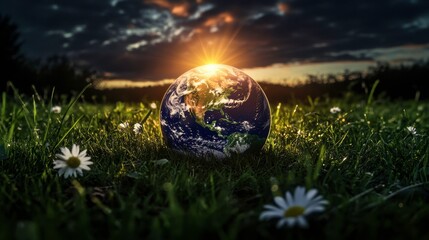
pixel 40 75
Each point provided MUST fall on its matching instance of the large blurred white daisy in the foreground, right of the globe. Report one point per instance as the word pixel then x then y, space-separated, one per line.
pixel 292 209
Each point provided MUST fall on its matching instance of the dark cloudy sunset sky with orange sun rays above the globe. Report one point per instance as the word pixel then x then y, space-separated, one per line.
pixel 155 41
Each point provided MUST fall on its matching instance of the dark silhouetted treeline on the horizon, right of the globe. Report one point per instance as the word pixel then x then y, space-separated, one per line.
pixel 404 81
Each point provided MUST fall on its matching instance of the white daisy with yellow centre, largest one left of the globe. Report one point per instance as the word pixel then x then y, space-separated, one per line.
pixel 70 163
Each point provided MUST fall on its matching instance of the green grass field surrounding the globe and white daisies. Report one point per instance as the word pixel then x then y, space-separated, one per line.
pixel 362 160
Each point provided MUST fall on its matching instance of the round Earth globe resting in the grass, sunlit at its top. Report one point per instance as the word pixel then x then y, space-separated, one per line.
pixel 215 110
